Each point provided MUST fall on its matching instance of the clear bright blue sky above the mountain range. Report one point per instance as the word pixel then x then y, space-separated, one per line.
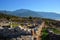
pixel 35 5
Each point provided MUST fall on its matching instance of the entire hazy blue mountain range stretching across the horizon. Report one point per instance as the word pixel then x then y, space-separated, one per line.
pixel 26 13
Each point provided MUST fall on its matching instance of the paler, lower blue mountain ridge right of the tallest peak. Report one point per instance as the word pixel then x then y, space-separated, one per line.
pixel 50 15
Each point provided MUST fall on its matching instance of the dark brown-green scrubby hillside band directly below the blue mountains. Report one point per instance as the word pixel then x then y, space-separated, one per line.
pixel 24 19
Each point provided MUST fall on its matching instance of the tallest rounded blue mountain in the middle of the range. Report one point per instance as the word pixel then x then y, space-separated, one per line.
pixel 25 13
